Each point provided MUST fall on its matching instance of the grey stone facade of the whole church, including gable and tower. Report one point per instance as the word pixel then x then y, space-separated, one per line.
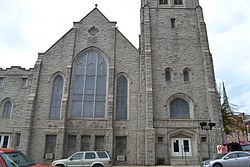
pixel 172 64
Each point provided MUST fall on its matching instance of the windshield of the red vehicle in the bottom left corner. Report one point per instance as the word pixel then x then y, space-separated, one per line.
pixel 19 159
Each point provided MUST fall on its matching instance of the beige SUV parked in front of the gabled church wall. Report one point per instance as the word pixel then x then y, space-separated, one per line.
pixel 86 158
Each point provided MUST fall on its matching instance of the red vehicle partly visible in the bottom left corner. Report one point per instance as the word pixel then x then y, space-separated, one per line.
pixel 15 158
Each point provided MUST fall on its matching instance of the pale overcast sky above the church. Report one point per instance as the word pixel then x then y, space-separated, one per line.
pixel 28 27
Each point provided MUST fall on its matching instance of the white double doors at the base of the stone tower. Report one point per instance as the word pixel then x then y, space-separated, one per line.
pixel 181 147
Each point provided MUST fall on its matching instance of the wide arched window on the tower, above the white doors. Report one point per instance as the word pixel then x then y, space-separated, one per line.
pixel 179 109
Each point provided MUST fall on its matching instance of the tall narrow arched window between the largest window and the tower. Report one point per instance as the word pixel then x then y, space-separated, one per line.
pixel 121 98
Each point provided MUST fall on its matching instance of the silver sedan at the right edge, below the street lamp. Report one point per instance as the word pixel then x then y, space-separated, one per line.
pixel 232 159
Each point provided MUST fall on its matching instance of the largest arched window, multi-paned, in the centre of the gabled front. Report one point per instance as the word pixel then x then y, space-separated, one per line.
pixel 89 85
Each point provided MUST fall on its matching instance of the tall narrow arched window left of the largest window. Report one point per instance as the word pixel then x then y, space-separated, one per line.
pixel 56 97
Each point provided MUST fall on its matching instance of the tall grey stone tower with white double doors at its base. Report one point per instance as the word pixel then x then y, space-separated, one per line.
pixel 176 69
